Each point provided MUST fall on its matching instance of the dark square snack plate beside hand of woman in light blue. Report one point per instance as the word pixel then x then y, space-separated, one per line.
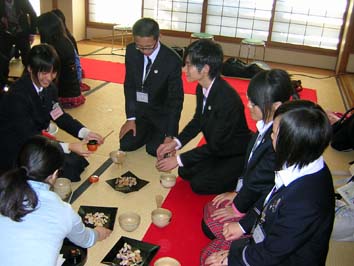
pixel 93 216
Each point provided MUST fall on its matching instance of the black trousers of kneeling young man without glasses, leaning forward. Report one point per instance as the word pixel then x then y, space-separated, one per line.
pixel 214 175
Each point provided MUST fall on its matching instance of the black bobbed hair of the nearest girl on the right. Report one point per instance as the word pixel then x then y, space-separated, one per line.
pixel 304 133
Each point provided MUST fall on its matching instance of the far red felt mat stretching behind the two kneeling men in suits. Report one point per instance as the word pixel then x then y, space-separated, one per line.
pixel 115 72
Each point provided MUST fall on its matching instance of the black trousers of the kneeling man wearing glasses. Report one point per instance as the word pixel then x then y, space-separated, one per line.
pixel 146 134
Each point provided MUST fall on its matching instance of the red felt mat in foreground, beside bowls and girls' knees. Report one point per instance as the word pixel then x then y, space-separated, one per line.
pixel 182 238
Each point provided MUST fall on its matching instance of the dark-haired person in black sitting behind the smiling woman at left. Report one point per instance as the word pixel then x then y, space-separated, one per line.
pixel 52 31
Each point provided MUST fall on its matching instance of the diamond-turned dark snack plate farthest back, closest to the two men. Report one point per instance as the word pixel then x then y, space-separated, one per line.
pixel 127 182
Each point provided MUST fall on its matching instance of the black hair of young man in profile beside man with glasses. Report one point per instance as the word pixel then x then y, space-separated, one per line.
pixel 205 52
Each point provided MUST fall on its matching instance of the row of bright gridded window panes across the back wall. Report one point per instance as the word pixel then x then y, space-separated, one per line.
pixel 315 23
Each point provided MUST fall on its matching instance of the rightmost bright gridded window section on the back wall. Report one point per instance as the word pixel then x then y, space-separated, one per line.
pixel 309 23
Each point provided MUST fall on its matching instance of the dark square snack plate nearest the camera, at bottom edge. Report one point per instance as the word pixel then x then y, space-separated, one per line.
pixel 130 252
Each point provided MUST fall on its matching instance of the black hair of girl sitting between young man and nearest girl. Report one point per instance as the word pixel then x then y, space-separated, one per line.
pixel 268 87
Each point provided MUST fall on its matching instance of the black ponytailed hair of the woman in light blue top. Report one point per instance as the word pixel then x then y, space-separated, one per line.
pixel 39 157
